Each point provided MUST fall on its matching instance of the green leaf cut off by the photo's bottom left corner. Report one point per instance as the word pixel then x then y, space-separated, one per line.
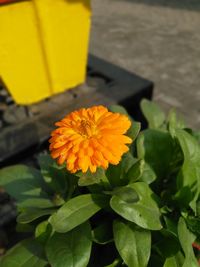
pixel 28 253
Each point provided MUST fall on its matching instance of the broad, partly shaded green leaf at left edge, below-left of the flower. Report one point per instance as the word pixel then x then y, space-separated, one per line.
pixel 26 185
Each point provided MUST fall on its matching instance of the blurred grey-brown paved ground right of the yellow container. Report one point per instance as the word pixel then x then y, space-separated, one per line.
pixel 158 40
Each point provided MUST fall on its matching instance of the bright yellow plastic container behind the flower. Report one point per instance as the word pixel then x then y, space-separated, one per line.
pixel 43 47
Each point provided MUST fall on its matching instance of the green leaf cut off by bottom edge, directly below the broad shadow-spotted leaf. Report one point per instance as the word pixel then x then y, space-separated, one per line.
pixel 133 244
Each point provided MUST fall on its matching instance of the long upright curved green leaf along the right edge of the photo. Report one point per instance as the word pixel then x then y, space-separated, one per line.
pixel 188 180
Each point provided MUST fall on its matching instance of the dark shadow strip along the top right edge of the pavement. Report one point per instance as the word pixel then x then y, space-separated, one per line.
pixel 192 5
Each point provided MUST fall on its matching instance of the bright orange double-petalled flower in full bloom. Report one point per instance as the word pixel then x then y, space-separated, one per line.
pixel 90 138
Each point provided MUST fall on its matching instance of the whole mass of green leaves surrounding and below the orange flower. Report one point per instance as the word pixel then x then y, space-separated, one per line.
pixel 143 212
